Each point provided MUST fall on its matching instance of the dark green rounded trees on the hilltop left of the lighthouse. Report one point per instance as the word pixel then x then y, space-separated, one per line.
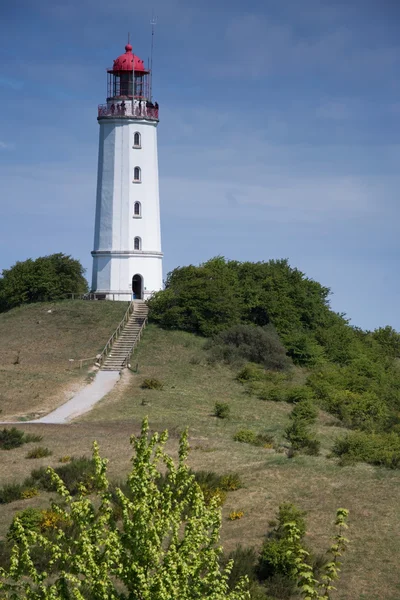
pixel 47 278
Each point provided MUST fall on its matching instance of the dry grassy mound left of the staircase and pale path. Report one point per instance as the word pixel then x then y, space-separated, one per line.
pixel 43 343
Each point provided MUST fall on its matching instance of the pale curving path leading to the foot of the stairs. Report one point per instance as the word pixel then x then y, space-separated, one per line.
pixel 83 402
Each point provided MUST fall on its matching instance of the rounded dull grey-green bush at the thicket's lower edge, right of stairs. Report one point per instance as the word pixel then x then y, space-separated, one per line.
pixel 260 345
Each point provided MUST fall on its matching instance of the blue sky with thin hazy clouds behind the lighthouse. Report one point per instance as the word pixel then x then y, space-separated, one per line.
pixel 278 137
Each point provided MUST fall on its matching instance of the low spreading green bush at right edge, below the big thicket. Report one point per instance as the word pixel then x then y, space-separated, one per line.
pixel 381 449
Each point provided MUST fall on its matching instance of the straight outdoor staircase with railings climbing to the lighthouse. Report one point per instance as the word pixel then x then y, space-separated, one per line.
pixel 128 338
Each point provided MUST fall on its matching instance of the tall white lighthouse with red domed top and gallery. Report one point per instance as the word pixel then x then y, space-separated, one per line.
pixel 127 257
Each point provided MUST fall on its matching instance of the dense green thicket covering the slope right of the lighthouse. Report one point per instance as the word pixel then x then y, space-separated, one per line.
pixel 351 373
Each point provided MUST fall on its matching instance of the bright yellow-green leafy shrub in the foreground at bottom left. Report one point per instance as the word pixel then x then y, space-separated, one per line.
pixel 165 547
